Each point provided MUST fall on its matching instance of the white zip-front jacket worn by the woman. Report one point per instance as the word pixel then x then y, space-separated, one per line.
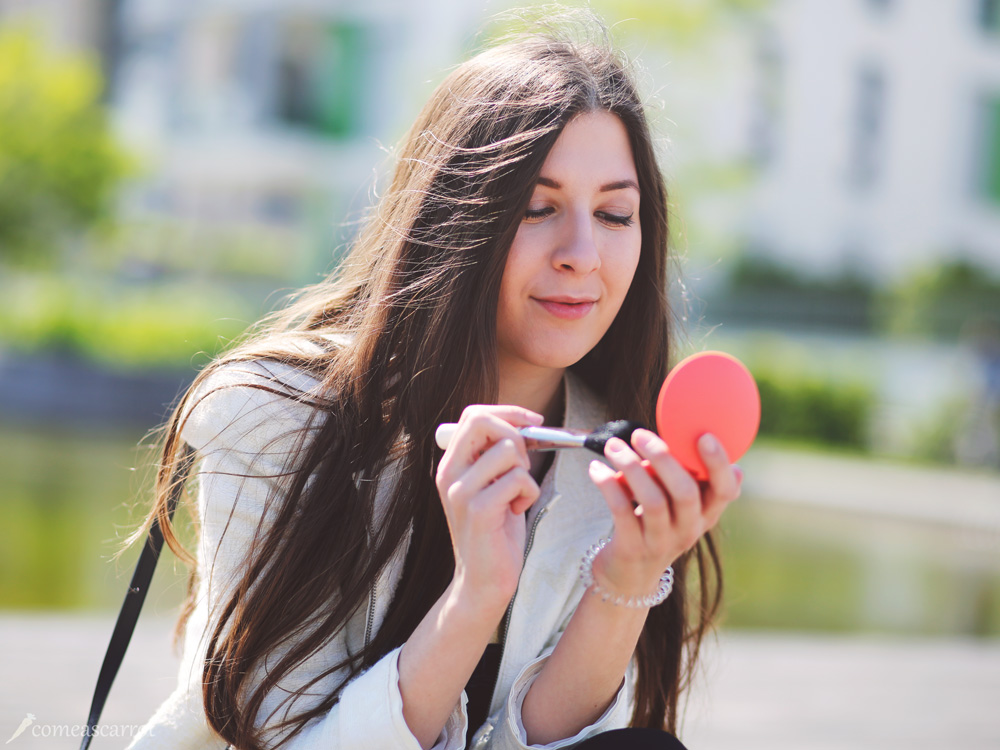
pixel 238 430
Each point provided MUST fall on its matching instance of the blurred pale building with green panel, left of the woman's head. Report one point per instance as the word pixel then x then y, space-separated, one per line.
pixel 275 112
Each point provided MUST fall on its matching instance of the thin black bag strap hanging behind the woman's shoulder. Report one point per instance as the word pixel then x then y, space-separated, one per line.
pixel 134 598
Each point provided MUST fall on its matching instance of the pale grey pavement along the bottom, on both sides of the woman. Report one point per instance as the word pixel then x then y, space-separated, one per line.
pixel 768 690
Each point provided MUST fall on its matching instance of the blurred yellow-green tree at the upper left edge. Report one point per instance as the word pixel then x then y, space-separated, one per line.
pixel 59 162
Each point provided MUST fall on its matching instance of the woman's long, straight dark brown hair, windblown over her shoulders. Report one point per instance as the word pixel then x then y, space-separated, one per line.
pixel 417 300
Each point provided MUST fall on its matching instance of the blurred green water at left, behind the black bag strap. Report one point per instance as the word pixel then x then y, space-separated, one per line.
pixel 69 499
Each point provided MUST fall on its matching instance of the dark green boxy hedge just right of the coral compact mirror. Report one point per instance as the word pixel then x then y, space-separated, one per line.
pixel 810 409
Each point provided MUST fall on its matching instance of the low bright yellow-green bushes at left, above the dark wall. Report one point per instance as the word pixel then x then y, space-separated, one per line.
pixel 125 327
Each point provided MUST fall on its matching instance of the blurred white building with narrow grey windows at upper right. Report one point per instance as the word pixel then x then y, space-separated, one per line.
pixel 875 125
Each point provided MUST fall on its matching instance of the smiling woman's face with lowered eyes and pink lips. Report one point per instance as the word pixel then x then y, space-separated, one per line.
pixel 576 250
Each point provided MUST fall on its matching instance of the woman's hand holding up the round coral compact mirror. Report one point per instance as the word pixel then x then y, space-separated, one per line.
pixel 673 512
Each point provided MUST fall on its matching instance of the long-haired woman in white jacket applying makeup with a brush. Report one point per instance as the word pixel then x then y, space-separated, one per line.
pixel 356 588
